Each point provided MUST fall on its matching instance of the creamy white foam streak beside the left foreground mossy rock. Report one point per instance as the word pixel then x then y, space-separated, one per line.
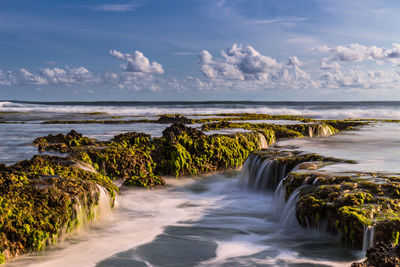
pixel 140 217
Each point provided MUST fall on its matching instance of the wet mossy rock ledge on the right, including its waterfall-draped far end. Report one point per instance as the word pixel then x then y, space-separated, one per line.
pixel 362 208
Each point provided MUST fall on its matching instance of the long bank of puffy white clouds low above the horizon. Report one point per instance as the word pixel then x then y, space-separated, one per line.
pixel 237 68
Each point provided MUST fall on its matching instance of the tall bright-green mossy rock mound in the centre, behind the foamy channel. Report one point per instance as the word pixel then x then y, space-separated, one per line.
pixel 184 150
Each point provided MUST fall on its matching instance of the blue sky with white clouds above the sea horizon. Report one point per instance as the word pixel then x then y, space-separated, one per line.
pixel 195 50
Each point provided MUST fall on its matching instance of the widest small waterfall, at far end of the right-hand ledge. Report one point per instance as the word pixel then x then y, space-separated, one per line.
pixel 260 174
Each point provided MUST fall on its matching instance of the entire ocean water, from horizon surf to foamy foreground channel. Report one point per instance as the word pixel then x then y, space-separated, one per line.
pixel 208 220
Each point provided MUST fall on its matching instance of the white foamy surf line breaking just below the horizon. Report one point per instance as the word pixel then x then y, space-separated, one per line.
pixel 339 112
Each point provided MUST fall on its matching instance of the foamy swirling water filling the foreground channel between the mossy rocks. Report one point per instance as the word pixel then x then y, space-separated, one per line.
pixel 216 217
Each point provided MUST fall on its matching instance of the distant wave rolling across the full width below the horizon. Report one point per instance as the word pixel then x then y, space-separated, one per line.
pixel 322 110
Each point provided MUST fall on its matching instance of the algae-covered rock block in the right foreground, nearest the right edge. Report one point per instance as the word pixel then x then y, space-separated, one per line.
pixel 347 204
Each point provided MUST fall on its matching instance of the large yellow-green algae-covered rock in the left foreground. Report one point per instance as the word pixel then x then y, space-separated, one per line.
pixel 39 202
